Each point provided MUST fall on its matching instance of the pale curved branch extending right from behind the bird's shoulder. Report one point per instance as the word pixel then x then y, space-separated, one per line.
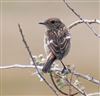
pixel 96 21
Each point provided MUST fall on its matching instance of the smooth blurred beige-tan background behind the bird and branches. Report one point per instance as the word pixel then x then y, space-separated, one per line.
pixel 85 48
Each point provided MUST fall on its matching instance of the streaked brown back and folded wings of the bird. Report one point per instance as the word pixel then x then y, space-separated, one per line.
pixel 59 44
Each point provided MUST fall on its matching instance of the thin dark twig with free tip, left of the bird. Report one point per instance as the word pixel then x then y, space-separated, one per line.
pixel 30 54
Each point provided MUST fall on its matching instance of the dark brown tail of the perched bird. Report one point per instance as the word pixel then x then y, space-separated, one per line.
pixel 49 62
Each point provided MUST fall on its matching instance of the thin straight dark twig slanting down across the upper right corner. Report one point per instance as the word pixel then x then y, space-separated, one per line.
pixel 91 28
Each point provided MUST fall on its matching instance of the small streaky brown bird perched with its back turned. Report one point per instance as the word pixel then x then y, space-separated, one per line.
pixel 56 41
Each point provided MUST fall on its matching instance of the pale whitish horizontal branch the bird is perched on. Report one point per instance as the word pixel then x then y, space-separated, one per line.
pixel 87 77
